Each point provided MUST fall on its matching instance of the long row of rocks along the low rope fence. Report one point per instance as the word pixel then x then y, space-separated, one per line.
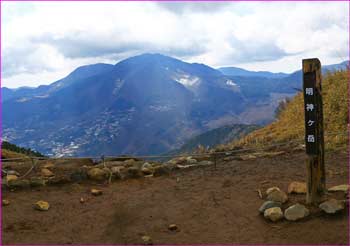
pixel 50 173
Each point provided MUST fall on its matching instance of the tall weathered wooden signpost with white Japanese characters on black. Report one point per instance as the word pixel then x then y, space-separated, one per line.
pixel 314 137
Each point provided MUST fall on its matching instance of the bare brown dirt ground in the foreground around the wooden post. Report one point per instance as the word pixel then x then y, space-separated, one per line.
pixel 209 207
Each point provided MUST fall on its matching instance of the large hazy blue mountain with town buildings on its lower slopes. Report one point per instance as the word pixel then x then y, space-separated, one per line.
pixel 147 104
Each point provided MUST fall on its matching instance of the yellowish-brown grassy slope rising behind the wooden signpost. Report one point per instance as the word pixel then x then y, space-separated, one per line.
pixel 290 124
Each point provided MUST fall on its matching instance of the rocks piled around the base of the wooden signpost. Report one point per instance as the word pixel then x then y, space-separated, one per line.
pixel 272 208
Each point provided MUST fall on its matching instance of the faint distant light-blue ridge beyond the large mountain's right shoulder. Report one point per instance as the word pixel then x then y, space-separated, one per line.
pixel 235 71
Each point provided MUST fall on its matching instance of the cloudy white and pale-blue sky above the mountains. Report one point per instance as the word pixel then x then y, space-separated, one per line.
pixel 42 42
